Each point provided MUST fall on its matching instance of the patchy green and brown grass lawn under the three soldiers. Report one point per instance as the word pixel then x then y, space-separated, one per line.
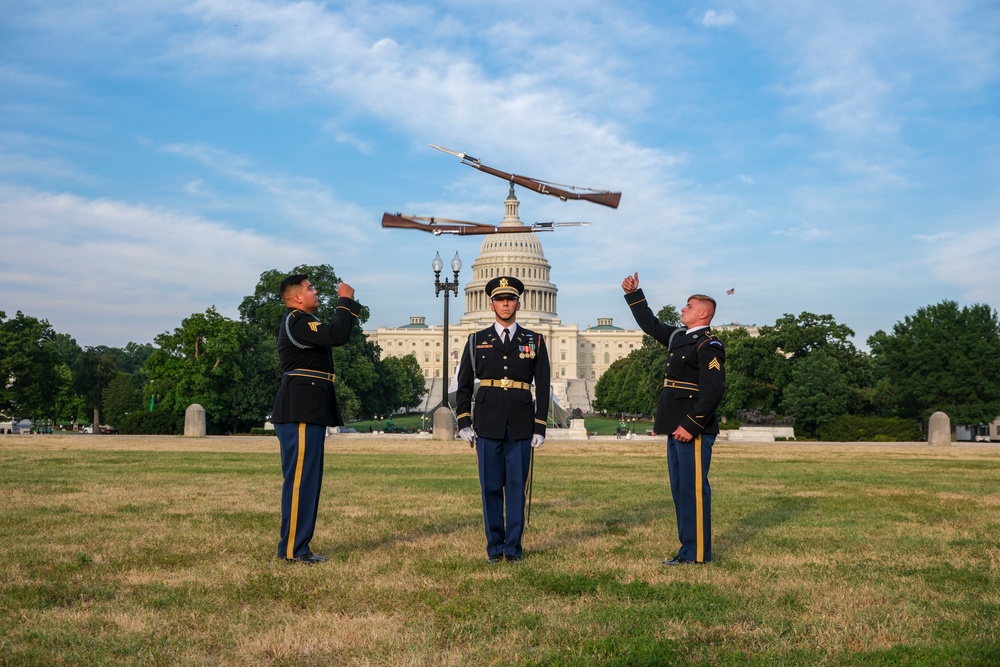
pixel 120 550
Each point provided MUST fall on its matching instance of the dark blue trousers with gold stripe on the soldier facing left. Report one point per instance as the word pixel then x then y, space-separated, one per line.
pixel 688 464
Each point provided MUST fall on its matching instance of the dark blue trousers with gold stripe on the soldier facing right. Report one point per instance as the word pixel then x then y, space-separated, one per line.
pixel 302 467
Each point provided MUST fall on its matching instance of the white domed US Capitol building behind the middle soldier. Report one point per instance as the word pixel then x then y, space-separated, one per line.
pixel 578 357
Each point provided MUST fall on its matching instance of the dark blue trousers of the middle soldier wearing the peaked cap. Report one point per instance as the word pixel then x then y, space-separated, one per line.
pixel 503 471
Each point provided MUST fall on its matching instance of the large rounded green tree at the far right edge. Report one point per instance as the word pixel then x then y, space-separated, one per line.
pixel 942 358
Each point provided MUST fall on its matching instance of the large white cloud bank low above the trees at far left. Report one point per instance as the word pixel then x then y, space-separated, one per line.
pixel 115 272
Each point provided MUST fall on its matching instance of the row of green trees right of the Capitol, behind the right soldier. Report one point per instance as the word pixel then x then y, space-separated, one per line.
pixel 806 369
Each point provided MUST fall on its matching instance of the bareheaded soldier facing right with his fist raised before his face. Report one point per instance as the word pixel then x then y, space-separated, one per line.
pixel 306 404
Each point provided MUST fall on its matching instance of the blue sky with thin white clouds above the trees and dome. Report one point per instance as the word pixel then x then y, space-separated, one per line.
pixel 157 156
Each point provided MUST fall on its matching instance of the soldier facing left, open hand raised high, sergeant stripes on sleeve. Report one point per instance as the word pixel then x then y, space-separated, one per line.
pixel 693 384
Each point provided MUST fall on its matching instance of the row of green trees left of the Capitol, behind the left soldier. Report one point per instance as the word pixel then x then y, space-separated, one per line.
pixel 230 367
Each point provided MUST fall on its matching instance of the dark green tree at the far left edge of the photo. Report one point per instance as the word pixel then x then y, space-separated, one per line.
pixel 29 359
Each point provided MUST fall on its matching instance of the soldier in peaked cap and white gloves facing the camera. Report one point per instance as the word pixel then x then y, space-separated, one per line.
pixel 505 424
